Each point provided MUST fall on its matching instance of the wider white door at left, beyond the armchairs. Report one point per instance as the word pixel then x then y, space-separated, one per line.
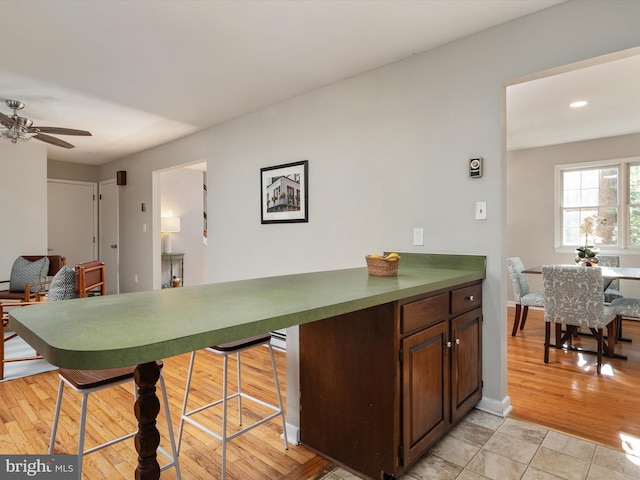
pixel 72 214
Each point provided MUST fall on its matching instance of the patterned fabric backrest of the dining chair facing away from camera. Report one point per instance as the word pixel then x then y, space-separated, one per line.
pixel 573 295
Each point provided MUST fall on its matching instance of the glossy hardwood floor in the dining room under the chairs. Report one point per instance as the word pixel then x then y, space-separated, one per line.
pixel 567 395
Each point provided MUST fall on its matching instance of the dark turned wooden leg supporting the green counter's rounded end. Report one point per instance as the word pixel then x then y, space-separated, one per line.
pixel 146 408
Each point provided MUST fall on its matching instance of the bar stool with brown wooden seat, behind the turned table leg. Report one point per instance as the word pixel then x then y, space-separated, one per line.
pixel 87 382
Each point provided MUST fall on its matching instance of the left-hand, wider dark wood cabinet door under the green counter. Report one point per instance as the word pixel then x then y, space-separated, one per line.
pixel 425 390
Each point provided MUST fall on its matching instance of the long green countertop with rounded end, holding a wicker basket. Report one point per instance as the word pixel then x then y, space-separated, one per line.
pixel 135 328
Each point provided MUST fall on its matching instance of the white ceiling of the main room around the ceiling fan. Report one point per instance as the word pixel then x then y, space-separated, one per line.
pixel 140 74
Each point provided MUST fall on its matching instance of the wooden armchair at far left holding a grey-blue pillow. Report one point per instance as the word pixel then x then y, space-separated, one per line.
pixel 29 277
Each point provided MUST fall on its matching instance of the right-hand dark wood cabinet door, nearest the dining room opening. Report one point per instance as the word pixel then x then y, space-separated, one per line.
pixel 466 363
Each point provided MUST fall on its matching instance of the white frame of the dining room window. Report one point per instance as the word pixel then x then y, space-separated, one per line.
pixel 623 203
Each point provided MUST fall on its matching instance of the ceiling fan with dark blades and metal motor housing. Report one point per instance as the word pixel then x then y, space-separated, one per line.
pixel 20 129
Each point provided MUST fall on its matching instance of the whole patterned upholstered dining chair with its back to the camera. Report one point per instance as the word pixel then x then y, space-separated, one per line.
pixel 573 297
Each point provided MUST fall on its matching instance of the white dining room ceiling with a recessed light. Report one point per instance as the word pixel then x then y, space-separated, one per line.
pixel 538 111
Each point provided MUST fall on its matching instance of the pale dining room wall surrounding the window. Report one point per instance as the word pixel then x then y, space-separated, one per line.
pixel 530 175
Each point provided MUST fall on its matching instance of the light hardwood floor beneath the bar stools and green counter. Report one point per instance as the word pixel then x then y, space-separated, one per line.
pixel 27 407
